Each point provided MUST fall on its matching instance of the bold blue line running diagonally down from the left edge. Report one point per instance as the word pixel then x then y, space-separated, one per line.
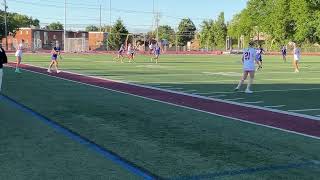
pixel 84 141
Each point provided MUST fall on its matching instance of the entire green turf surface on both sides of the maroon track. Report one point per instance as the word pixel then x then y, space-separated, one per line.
pixel 169 141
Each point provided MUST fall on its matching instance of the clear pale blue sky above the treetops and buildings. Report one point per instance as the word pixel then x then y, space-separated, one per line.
pixel 137 15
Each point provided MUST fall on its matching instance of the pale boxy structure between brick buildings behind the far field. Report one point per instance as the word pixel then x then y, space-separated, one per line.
pixel 77 45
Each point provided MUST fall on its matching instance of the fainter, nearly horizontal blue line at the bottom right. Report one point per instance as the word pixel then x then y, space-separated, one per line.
pixel 250 171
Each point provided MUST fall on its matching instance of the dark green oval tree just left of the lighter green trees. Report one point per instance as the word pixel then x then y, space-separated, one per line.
pixel 186 31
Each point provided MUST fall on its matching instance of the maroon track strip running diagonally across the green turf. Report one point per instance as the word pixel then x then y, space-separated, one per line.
pixel 283 121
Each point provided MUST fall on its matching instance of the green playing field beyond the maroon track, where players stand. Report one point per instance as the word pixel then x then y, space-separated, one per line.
pixel 213 76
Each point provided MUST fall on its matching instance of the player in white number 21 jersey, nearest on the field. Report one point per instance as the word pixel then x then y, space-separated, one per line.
pixel 248 61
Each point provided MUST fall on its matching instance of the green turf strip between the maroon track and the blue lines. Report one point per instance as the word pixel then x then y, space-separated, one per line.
pixel 166 140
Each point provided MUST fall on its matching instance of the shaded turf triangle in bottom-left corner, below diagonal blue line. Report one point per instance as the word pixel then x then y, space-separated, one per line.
pixel 29 149
